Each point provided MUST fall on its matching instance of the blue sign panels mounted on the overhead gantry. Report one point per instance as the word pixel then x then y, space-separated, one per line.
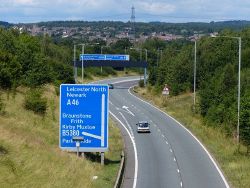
pixel 110 57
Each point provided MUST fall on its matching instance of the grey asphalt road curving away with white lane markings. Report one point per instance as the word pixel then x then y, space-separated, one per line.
pixel 169 156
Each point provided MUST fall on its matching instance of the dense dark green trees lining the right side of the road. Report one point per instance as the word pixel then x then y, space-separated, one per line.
pixel 217 77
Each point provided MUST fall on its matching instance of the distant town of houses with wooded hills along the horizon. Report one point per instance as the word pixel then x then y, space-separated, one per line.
pixel 110 31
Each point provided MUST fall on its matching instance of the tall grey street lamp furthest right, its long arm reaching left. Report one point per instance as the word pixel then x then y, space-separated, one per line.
pixel 238 119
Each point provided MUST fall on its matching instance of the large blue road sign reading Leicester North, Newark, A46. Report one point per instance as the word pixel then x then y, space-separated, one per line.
pixel 84 113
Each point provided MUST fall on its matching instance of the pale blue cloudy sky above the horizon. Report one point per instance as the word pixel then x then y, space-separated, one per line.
pixel 31 11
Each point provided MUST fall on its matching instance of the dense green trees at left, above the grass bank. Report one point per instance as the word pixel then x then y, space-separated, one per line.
pixel 31 61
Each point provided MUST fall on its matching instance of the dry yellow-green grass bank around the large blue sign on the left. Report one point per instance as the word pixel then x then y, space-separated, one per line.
pixel 30 156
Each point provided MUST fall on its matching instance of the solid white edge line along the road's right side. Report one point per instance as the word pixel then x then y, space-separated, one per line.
pixel 203 147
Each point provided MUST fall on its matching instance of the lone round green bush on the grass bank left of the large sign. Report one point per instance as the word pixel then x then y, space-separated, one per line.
pixel 35 102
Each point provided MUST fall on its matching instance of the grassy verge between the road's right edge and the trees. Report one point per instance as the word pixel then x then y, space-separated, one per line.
pixel 234 163
